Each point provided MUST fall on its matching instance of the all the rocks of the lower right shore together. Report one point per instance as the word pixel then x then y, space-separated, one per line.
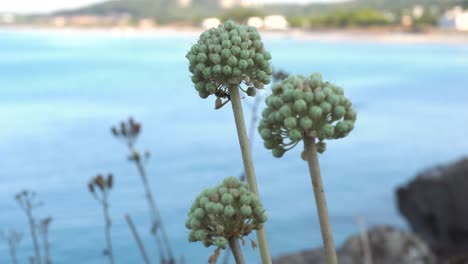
pixel 435 206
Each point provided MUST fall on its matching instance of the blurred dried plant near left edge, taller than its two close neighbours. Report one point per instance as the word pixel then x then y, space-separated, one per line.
pixel 27 200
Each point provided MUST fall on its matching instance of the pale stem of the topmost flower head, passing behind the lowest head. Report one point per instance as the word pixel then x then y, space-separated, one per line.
pixel 248 164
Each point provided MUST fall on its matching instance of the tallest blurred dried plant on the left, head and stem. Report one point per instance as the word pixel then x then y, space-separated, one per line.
pixel 128 132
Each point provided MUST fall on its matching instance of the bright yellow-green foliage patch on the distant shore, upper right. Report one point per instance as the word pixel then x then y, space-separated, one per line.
pixel 361 17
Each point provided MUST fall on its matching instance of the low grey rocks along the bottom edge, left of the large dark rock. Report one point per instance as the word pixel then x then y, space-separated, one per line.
pixel 387 246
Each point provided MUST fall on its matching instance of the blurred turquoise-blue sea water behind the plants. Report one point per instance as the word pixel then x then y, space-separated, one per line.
pixel 60 93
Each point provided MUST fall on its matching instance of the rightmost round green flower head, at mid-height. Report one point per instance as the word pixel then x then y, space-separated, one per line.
pixel 301 106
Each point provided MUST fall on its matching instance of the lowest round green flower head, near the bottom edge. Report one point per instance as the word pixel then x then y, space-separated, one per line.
pixel 229 210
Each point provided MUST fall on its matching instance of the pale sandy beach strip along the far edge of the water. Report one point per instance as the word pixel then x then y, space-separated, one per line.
pixel 353 35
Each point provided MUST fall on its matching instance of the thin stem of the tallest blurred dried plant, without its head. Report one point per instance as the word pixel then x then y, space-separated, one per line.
pixel 156 217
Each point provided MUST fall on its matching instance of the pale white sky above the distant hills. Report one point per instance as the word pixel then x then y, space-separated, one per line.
pixel 28 6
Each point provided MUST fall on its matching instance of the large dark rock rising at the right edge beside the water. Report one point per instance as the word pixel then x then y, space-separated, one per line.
pixel 436 206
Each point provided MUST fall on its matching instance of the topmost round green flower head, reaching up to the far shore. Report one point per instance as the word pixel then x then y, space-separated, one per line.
pixel 229 55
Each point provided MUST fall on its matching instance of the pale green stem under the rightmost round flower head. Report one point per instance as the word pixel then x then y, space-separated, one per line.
pixel 320 201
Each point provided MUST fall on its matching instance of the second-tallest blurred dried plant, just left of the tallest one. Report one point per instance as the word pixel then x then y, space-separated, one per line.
pixel 99 187
